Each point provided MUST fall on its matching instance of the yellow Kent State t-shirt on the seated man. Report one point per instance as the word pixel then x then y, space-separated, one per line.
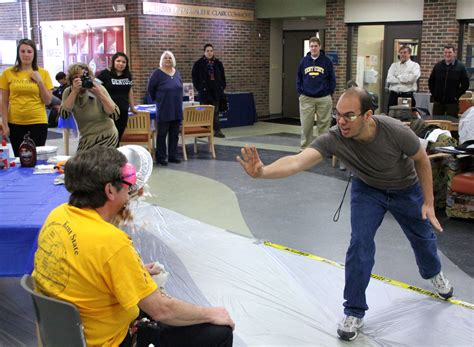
pixel 86 261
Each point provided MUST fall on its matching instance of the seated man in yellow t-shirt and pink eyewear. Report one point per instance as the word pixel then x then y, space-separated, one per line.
pixel 85 260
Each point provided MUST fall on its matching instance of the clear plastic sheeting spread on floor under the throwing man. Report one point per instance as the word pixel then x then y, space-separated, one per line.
pixel 280 299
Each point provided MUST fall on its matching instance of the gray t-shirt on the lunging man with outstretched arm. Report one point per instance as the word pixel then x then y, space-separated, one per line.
pixel 382 163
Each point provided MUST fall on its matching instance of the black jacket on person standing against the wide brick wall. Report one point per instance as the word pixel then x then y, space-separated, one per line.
pixel 207 89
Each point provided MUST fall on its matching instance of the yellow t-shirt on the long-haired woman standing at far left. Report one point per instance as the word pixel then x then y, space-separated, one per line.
pixel 25 104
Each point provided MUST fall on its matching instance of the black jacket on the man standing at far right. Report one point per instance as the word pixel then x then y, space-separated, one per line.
pixel 448 82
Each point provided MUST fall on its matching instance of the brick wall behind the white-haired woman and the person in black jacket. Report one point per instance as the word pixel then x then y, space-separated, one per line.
pixel 242 47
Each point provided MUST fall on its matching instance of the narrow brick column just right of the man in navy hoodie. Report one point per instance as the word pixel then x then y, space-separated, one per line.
pixel 336 40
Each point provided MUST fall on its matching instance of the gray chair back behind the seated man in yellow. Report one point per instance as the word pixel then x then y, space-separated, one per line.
pixel 58 322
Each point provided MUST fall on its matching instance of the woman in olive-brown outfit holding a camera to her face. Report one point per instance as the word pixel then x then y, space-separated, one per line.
pixel 92 107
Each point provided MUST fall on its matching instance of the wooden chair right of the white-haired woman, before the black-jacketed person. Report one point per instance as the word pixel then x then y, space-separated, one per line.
pixel 198 122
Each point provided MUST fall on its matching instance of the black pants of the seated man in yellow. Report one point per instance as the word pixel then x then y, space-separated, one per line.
pixel 199 335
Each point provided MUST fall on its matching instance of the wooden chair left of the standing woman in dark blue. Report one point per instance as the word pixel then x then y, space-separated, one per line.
pixel 139 132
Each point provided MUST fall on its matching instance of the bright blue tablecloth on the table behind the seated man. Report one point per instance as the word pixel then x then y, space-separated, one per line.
pixel 25 202
